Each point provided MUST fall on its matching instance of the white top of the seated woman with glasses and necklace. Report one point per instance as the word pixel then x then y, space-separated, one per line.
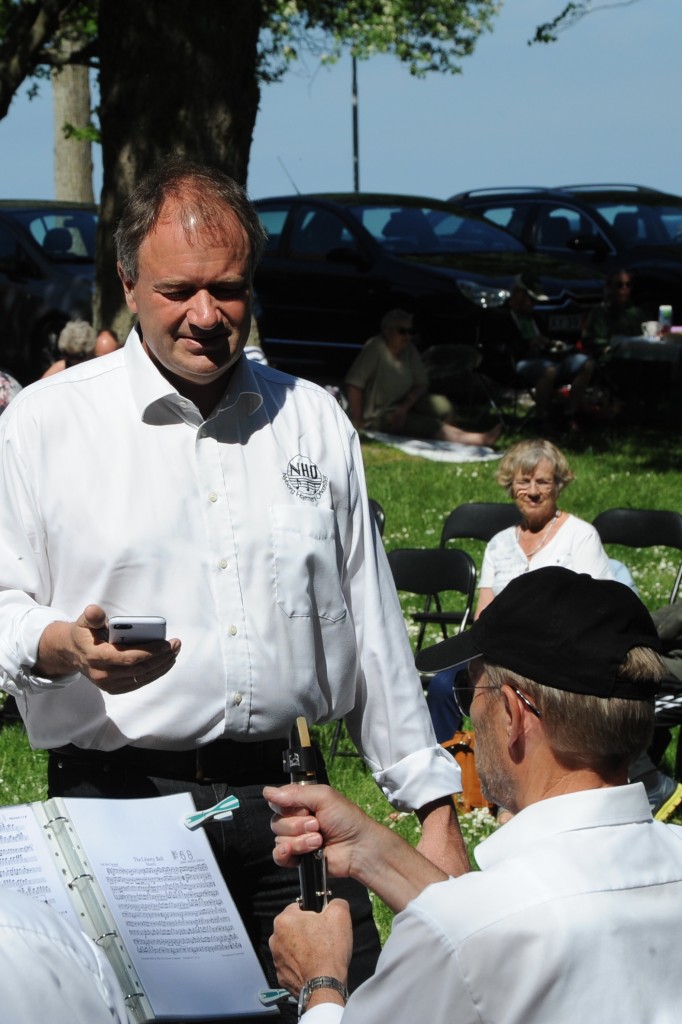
pixel 575 546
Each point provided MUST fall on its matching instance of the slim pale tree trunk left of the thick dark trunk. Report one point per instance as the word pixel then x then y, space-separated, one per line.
pixel 73 157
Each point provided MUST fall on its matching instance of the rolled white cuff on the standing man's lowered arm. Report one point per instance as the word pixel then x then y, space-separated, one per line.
pixel 420 779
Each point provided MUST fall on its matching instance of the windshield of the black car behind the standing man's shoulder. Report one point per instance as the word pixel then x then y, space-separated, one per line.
pixel 425 230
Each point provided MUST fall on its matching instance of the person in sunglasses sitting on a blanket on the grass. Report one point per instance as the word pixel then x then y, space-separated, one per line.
pixel 388 390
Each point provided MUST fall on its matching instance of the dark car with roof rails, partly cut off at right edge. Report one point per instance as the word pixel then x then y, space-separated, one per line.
pixel 606 228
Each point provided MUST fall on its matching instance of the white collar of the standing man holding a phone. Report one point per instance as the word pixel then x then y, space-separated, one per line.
pixel 158 401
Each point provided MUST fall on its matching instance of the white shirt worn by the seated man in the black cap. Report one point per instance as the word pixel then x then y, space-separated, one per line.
pixel 574 918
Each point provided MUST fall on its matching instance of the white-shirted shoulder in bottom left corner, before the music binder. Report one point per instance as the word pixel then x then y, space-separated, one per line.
pixel 50 972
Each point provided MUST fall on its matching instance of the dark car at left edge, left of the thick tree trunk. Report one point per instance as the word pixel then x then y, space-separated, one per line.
pixel 47 279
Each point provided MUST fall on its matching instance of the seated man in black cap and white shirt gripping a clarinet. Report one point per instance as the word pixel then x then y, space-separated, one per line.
pixel 575 914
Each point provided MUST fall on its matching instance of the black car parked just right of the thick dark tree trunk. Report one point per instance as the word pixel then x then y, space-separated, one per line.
pixel 335 264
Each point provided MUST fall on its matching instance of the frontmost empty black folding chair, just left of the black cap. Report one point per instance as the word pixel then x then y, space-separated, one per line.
pixel 434 573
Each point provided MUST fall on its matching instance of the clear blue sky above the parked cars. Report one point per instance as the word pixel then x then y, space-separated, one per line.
pixel 599 106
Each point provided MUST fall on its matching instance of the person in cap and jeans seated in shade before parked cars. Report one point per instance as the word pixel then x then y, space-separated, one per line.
pixel 544 364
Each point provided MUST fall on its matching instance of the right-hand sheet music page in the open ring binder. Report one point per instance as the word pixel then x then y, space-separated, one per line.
pixel 172 906
